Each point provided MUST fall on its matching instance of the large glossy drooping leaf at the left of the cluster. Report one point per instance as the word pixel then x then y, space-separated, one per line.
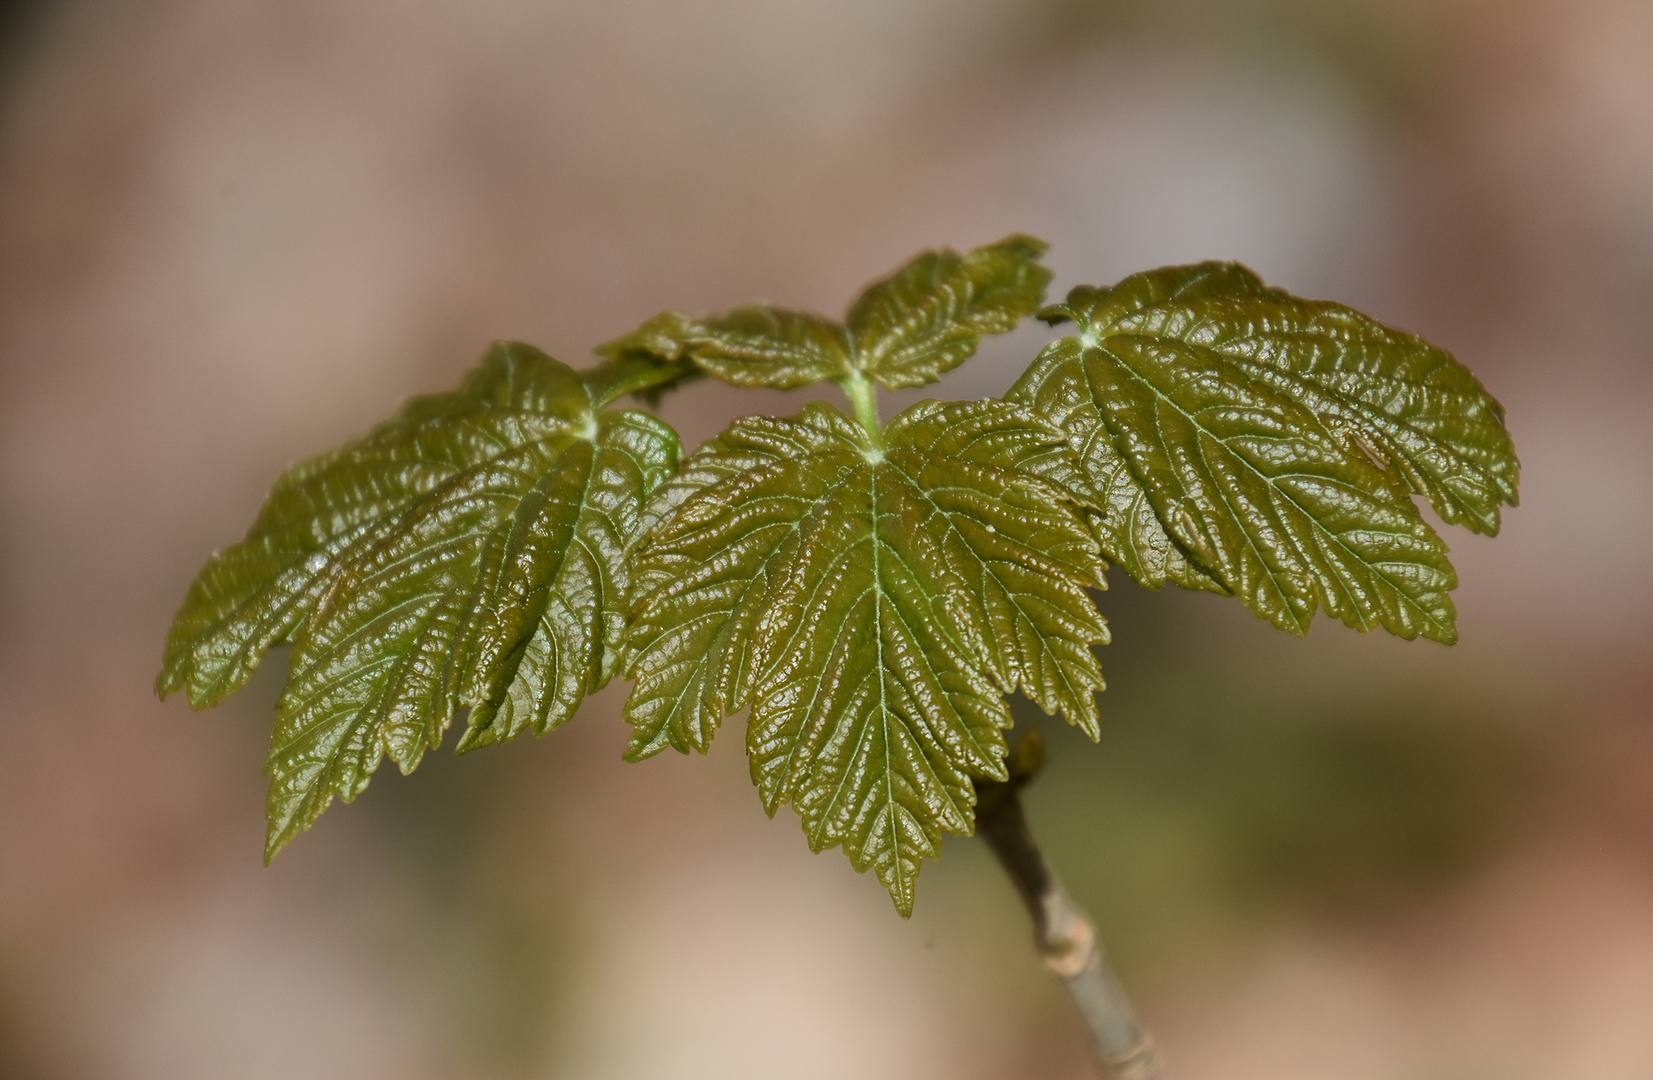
pixel 470 552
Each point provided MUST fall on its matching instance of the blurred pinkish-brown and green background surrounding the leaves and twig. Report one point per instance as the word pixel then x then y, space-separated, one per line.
pixel 234 234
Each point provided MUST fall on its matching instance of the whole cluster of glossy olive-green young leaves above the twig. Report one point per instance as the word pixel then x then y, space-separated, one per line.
pixel 869 591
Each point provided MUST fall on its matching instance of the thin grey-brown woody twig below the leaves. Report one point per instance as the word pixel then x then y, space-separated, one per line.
pixel 1062 932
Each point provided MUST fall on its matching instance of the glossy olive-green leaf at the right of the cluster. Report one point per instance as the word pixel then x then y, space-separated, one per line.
pixel 1244 441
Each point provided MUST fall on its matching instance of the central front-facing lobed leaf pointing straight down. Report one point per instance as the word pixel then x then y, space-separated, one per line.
pixel 872 601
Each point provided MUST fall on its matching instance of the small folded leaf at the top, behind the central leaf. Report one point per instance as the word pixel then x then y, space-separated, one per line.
pixel 903 332
